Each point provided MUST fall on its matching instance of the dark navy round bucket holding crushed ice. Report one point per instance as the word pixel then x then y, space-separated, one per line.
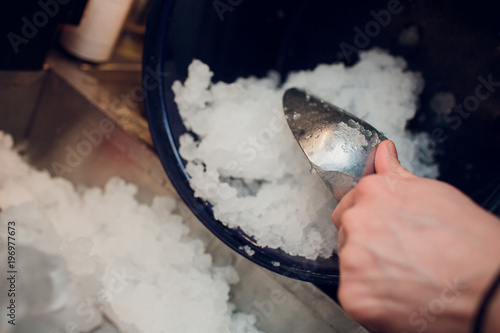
pixel 457 52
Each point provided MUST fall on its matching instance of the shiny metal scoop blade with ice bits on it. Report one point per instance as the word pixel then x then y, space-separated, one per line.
pixel 340 146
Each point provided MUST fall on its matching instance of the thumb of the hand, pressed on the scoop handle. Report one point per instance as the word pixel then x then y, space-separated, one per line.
pixel 387 162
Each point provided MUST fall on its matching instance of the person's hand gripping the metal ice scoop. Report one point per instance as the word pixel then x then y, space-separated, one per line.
pixel 415 254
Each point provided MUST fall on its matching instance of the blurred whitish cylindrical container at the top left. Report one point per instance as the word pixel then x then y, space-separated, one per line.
pixel 95 38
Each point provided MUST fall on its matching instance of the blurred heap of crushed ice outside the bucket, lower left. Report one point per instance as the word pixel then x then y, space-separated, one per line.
pixel 97 255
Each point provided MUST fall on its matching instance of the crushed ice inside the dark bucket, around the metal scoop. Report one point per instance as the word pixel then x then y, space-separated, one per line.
pixel 246 163
